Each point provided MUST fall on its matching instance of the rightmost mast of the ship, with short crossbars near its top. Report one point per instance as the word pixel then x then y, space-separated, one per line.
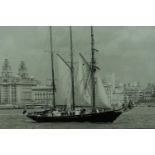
pixel 93 69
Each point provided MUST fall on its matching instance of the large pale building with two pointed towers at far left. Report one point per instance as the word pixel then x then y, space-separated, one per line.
pixel 15 89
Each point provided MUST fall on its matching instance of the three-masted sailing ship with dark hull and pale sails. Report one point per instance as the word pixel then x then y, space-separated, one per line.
pixel 83 95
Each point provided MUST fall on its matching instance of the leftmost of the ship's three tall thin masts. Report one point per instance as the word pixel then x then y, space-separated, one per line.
pixel 52 67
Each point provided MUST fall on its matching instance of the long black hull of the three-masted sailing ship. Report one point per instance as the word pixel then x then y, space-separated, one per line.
pixel 106 117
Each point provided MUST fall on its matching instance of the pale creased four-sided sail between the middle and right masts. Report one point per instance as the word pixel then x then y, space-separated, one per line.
pixel 84 82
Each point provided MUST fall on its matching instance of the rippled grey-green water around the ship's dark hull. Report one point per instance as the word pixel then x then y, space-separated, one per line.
pixel 137 118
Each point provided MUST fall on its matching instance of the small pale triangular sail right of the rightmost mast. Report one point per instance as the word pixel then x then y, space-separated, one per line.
pixel 101 96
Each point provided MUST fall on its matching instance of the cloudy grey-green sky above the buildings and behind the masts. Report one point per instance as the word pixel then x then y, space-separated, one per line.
pixel 129 52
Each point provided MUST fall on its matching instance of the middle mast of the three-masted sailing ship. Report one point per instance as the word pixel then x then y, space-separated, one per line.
pixel 72 68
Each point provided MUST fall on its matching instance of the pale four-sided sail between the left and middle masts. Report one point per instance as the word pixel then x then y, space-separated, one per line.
pixel 64 83
